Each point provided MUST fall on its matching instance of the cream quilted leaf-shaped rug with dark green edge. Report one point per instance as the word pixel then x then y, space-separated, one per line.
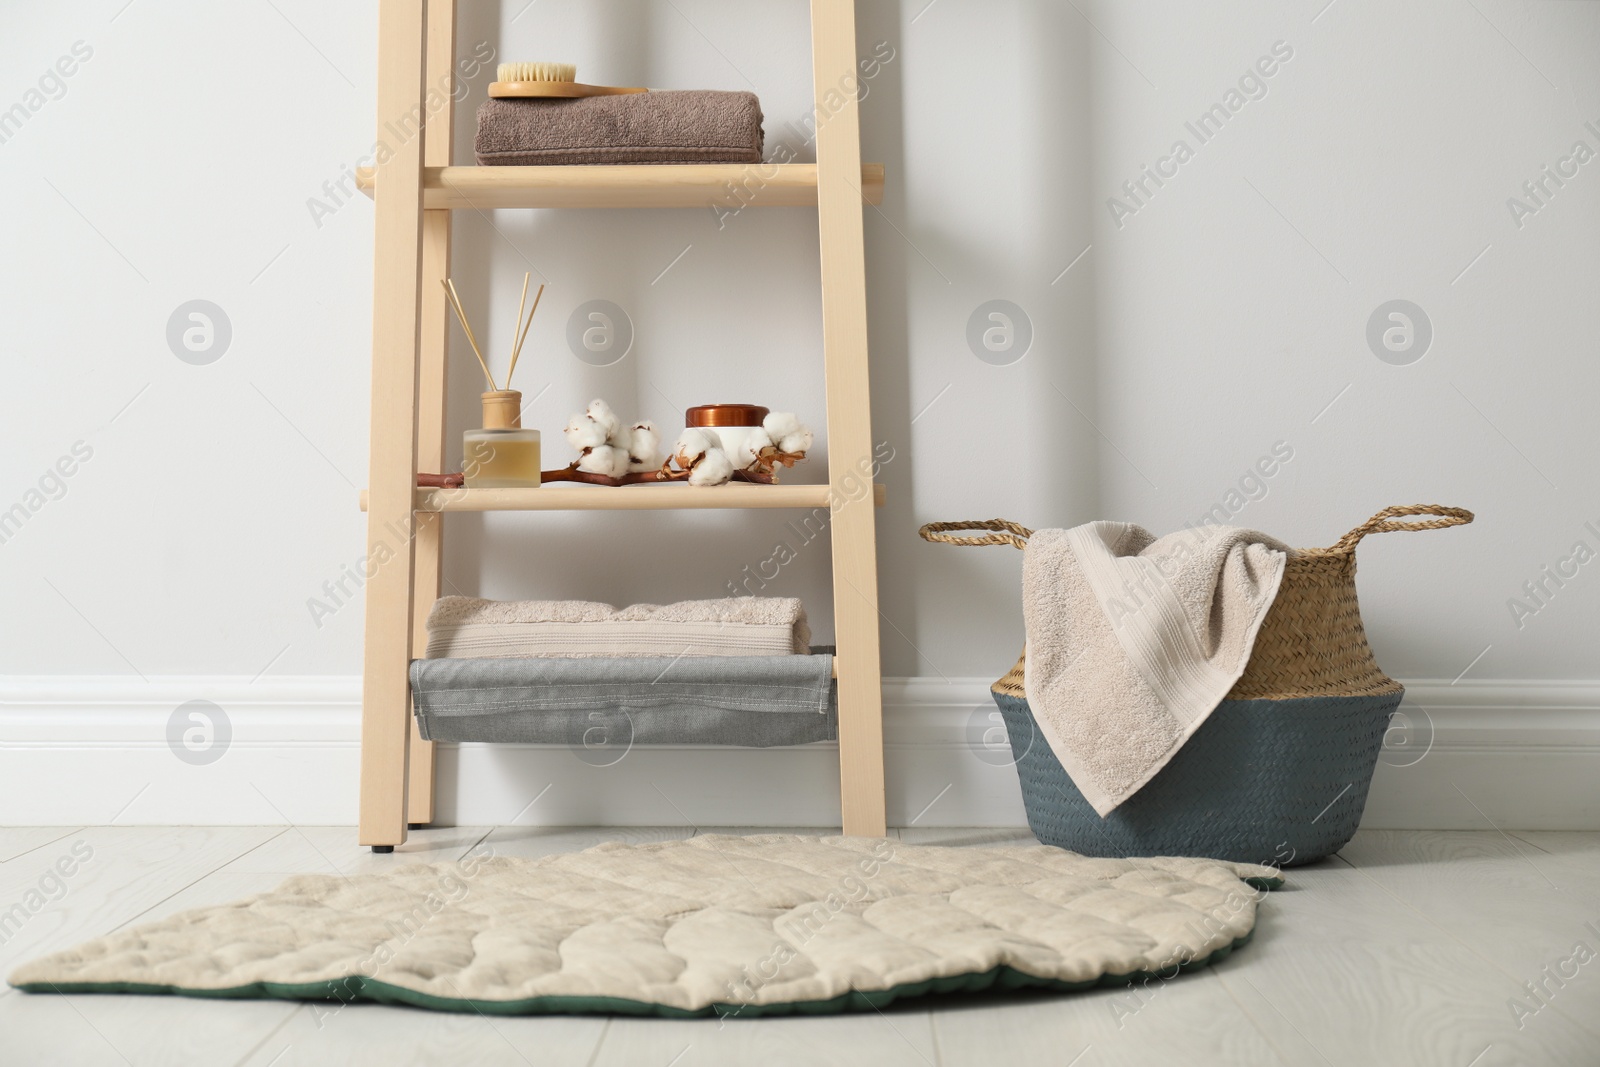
pixel 710 925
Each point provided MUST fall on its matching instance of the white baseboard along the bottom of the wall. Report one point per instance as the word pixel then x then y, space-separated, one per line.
pixel 82 751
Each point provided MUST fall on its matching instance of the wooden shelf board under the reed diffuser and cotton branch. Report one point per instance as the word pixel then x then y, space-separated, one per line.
pixel 630 498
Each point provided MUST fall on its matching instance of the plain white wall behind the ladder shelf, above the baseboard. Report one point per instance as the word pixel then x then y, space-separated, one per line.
pixel 1220 319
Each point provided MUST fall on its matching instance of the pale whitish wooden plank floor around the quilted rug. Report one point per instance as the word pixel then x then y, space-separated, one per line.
pixel 1410 949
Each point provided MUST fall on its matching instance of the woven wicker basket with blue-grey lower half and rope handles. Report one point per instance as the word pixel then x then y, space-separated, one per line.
pixel 1279 772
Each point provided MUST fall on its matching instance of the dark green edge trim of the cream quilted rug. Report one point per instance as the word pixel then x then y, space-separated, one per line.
pixel 356 989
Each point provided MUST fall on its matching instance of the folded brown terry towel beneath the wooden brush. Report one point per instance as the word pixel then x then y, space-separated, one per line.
pixel 668 127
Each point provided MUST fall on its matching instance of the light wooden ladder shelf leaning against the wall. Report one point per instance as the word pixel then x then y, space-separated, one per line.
pixel 415 191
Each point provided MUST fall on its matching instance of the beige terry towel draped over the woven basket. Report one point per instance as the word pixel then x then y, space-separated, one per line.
pixel 1134 642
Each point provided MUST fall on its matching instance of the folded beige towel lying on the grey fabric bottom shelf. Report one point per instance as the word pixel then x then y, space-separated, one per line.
pixel 466 628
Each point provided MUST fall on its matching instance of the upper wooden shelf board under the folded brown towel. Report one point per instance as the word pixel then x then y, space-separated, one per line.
pixel 719 186
